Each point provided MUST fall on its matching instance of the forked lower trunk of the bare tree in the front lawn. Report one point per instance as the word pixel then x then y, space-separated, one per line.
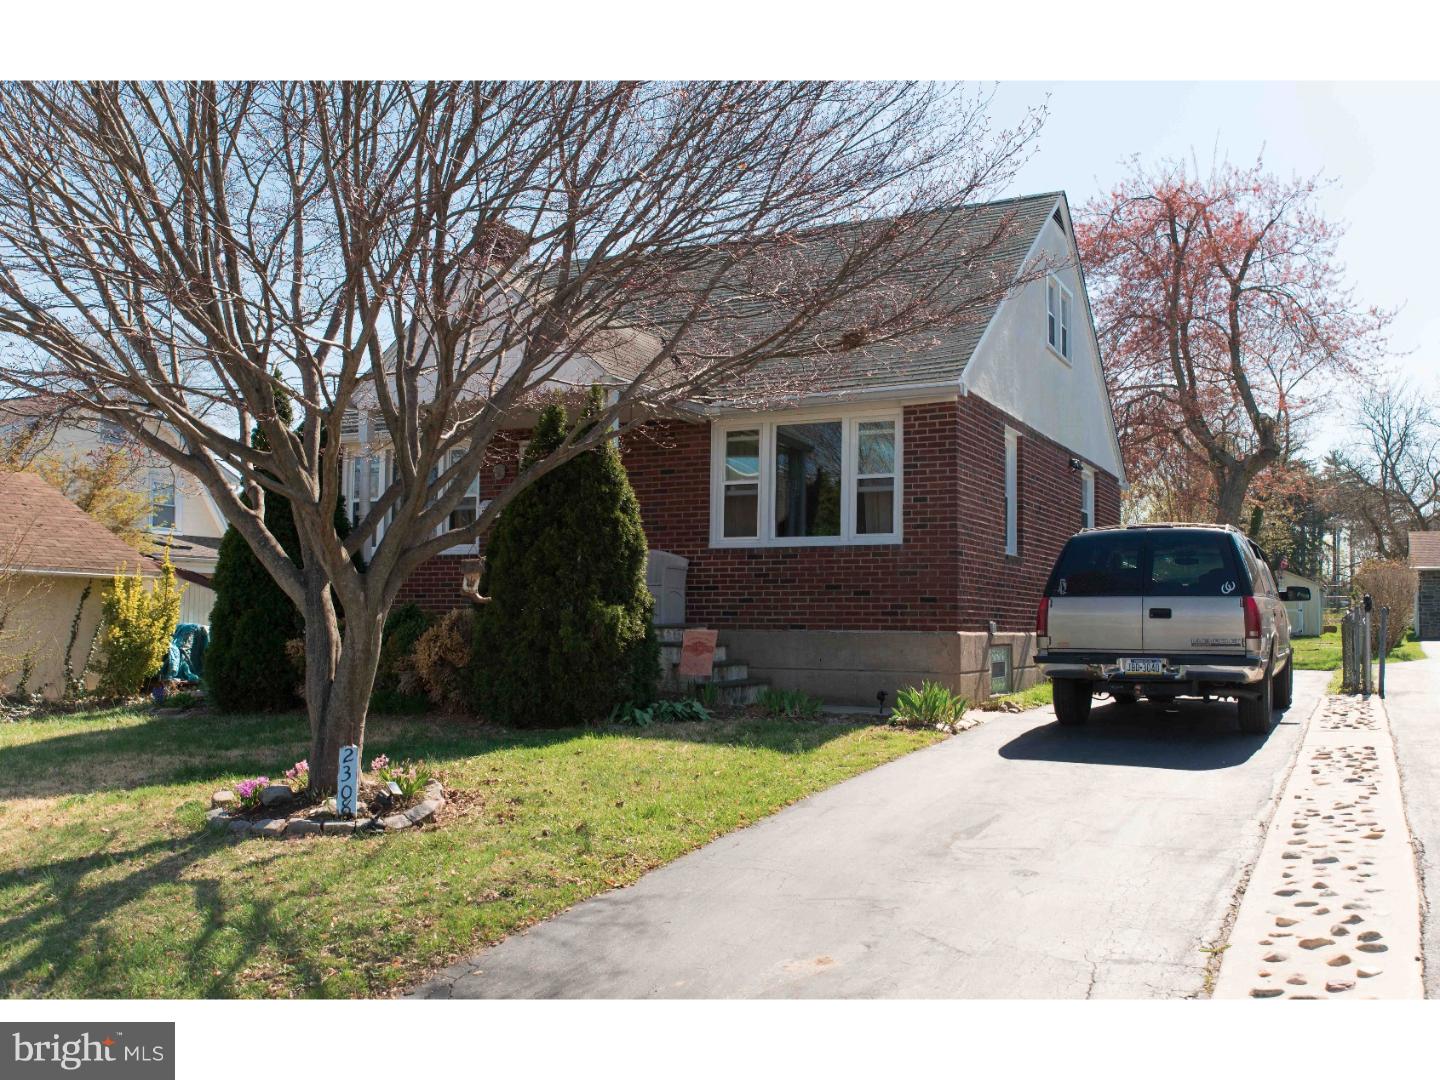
pixel 339 680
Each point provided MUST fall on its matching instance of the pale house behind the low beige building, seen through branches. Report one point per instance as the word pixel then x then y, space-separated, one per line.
pixel 184 516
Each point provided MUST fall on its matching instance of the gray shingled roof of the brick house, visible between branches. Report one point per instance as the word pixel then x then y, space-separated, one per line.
pixel 1003 230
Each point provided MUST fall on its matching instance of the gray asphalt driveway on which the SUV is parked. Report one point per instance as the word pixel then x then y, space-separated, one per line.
pixel 1019 860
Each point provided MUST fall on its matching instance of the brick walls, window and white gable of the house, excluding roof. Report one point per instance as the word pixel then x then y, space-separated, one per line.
pixel 892 528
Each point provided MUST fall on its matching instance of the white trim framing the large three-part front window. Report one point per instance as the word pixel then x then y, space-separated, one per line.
pixel 850 466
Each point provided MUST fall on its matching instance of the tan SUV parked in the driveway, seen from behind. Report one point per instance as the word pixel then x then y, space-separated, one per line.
pixel 1161 611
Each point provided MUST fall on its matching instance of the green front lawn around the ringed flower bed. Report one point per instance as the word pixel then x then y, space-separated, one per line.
pixel 110 886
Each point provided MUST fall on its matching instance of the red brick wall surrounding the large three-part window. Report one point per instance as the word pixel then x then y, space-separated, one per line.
pixel 951 572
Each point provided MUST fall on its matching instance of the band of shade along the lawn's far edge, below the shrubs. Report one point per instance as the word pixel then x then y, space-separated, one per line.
pixel 210 748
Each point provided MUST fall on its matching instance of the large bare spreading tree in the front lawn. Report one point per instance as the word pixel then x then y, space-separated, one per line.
pixel 430 257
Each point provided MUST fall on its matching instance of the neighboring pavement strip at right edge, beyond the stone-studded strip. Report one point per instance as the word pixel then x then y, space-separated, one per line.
pixel 1413 702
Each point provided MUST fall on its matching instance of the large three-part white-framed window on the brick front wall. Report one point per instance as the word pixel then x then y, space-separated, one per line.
pixel 801 480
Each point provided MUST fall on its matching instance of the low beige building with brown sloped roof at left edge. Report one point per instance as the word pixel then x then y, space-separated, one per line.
pixel 55 567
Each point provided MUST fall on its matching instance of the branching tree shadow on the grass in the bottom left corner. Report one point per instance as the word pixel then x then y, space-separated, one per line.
pixel 61 930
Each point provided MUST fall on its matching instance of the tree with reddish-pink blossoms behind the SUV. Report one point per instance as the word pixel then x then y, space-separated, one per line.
pixel 1223 315
